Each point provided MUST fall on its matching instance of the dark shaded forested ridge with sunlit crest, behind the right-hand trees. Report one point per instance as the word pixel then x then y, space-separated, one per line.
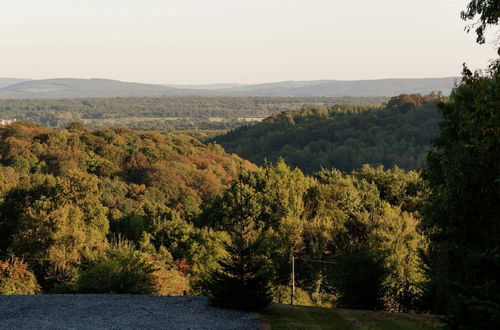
pixel 343 136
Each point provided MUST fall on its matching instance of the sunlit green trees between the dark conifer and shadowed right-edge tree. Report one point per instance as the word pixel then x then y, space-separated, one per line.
pixel 323 218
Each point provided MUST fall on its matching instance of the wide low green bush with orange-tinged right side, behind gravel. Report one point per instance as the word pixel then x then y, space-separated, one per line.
pixel 124 270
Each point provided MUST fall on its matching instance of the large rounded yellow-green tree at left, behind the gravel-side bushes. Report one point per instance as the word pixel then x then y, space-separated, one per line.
pixel 56 222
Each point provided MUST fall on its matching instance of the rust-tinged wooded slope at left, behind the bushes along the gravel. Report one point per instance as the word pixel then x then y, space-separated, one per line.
pixel 62 190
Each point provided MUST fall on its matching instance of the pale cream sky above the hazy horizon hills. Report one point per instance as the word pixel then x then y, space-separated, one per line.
pixel 237 41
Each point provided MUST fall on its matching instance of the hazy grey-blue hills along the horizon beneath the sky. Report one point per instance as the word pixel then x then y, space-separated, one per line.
pixel 82 88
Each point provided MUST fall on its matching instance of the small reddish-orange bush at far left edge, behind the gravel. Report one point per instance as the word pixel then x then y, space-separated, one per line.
pixel 16 278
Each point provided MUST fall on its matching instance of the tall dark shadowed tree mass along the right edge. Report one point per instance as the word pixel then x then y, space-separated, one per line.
pixel 462 216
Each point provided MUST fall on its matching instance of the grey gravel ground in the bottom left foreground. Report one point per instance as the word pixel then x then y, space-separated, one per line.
pixel 118 312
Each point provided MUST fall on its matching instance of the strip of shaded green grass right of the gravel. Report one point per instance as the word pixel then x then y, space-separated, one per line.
pixel 305 317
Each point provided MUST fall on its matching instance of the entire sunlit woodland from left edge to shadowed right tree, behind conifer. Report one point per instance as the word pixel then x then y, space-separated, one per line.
pixel 117 210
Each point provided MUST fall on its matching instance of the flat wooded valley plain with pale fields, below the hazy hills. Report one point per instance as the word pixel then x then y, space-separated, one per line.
pixel 163 113
